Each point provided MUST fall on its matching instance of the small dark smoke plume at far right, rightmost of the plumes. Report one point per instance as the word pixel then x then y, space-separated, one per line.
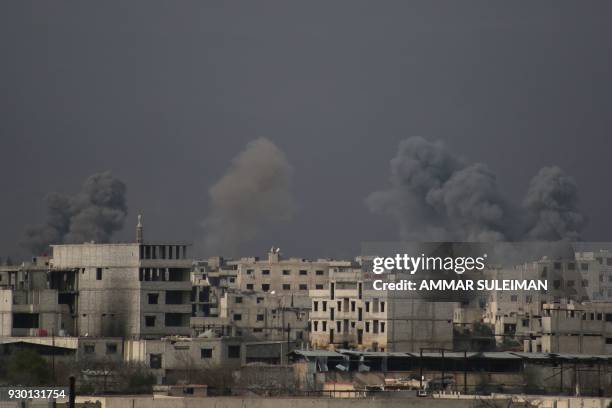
pixel 551 204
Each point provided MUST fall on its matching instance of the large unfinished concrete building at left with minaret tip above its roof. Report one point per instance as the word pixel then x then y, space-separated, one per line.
pixel 133 290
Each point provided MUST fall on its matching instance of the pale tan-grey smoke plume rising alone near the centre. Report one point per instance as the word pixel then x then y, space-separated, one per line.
pixel 253 193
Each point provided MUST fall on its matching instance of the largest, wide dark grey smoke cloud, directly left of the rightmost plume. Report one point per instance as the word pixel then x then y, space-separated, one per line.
pixel 437 196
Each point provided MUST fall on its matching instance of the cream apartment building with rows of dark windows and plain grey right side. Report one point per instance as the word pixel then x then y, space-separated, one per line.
pixel 351 314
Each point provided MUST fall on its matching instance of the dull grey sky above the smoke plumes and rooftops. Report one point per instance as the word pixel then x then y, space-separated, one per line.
pixel 165 94
